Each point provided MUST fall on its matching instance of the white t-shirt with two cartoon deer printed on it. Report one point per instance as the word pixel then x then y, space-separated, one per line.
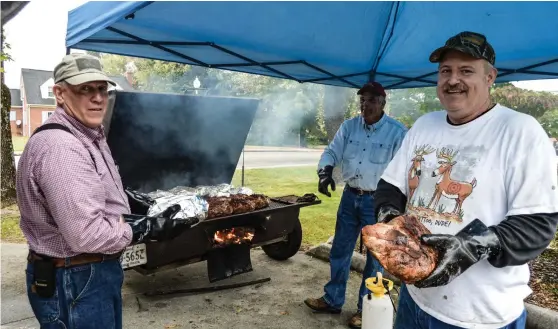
pixel 497 165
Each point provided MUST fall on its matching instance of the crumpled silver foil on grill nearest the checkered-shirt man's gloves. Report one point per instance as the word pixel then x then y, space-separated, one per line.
pixel 190 206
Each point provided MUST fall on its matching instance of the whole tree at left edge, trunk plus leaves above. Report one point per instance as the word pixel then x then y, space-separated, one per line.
pixel 7 176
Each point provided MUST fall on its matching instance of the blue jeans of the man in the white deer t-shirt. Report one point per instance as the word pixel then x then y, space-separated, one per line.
pixel 410 316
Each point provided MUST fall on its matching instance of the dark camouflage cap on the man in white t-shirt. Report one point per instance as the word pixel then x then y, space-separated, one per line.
pixel 471 43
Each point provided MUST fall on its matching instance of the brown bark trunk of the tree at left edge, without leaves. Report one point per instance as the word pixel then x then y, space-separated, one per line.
pixel 7 165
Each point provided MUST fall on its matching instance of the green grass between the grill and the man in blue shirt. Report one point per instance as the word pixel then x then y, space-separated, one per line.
pixel 318 221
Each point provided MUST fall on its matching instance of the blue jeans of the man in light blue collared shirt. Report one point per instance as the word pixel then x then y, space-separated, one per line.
pixel 355 212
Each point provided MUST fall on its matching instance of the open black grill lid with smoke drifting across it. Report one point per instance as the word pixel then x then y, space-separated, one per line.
pixel 160 141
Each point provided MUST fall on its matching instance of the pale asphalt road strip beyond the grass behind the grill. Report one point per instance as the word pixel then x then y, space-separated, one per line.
pixel 273 158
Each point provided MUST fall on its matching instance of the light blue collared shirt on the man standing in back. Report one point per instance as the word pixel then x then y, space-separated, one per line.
pixel 364 151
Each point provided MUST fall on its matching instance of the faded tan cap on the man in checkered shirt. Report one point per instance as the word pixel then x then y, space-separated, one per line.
pixel 76 69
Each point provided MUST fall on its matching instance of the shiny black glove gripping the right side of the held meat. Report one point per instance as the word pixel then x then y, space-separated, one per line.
pixel 457 253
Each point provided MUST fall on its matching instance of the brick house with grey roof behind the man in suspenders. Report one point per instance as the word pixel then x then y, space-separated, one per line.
pixel 34 102
